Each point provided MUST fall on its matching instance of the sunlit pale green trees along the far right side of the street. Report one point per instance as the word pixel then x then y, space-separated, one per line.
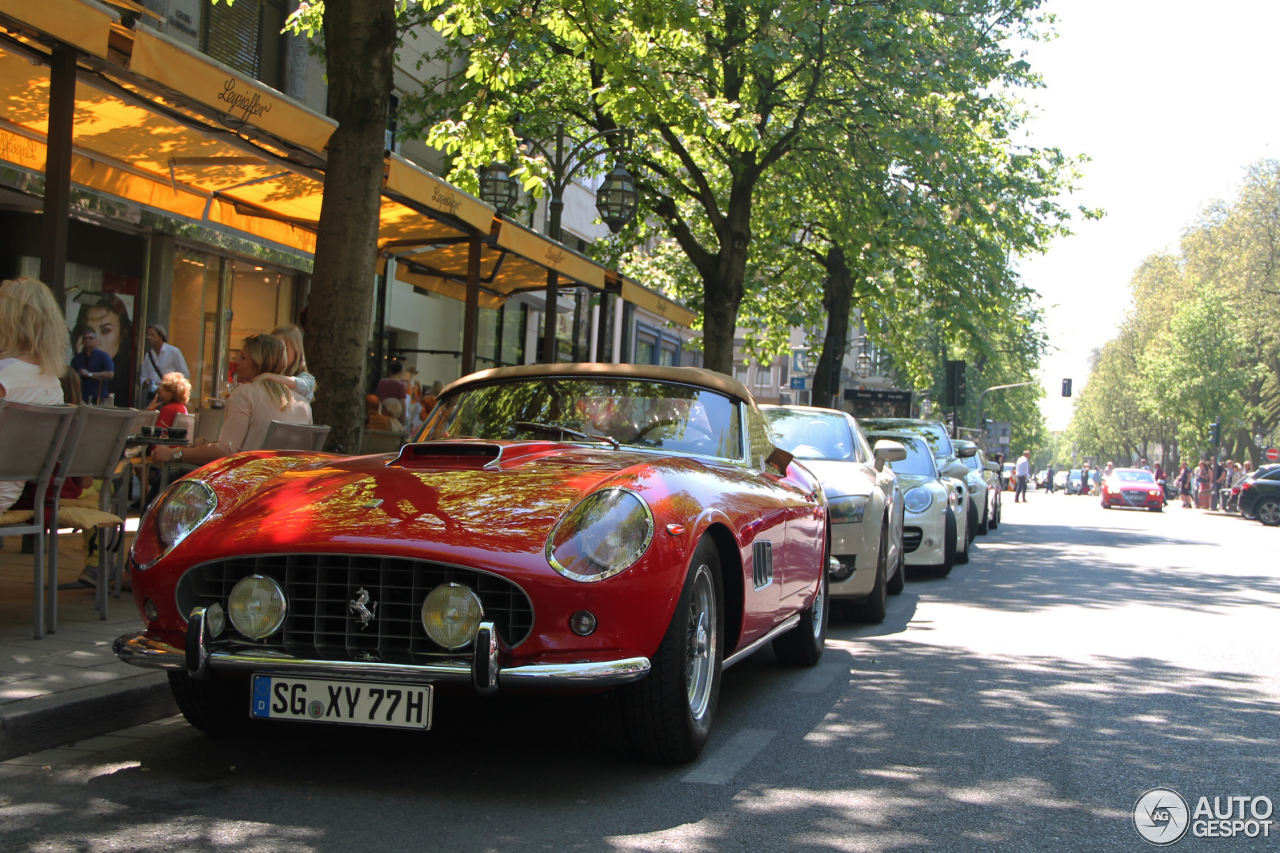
pixel 1203 340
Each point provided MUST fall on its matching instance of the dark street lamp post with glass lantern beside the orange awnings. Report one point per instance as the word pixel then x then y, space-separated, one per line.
pixel 616 202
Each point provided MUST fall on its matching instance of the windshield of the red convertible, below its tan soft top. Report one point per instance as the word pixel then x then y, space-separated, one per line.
pixel 650 414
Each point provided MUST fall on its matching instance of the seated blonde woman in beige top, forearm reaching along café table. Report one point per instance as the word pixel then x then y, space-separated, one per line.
pixel 252 408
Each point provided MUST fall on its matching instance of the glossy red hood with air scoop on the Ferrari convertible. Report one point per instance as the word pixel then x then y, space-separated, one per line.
pixel 452 507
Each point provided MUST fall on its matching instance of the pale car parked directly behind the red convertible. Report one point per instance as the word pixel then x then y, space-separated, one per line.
pixel 863 500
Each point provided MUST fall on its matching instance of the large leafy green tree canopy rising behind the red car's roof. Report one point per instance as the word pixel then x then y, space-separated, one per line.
pixel 752 118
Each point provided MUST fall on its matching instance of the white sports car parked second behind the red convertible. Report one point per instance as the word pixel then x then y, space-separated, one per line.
pixel 934 507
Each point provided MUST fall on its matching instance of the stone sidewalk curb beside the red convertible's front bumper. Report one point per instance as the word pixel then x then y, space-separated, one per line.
pixel 66 718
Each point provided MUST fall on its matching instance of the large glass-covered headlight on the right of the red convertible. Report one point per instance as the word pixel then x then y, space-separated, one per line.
pixel 605 535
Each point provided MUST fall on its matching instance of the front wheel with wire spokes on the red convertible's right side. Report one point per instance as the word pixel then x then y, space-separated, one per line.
pixel 669 714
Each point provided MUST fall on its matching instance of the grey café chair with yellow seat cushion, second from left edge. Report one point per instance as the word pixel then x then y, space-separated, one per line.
pixel 94 448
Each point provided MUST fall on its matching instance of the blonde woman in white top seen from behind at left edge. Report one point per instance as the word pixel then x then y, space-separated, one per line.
pixel 33 346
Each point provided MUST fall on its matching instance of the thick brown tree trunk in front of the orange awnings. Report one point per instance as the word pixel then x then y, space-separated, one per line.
pixel 360 43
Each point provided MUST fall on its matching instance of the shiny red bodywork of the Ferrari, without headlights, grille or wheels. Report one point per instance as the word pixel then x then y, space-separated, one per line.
pixel 497 518
